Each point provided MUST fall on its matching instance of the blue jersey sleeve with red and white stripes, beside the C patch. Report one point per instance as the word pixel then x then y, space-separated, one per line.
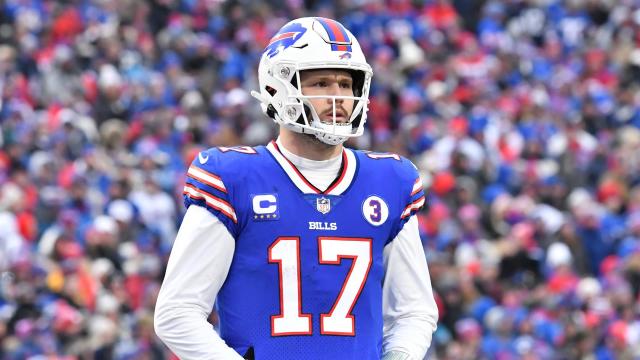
pixel 207 186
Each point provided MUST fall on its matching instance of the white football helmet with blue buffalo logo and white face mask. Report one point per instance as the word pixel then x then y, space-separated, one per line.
pixel 305 44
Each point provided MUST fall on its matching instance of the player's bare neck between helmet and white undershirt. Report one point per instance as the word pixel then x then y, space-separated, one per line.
pixel 307 146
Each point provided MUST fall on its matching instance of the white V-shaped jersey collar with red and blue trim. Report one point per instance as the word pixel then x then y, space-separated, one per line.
pixel 338 186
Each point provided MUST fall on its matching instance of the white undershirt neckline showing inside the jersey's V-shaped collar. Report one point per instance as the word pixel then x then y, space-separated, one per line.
pixel 320 173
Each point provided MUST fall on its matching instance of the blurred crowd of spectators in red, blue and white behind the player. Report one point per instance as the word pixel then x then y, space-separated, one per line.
pixel 523 117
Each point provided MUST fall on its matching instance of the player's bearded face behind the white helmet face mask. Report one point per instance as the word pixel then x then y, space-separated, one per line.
pixel 329 82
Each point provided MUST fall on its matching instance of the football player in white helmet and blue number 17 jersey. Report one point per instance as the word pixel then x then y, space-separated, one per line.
pixel 310 250
